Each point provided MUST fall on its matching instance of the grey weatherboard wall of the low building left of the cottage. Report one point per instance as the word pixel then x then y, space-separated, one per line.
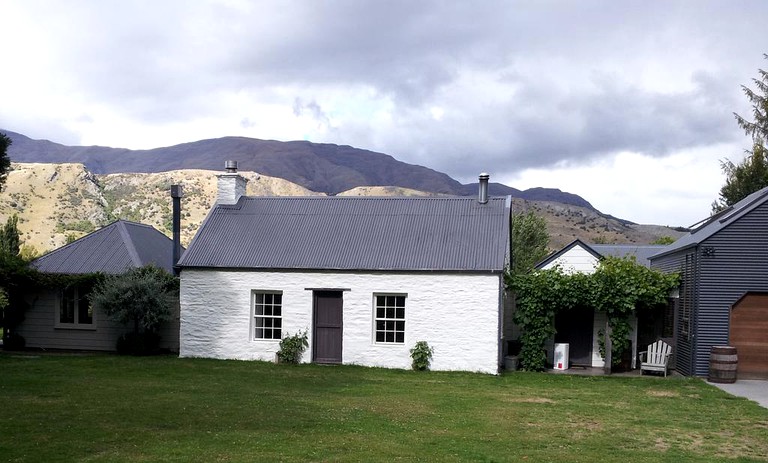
pixel 40 331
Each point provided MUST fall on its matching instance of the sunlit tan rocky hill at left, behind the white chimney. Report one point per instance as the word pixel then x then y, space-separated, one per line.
pixel 55 201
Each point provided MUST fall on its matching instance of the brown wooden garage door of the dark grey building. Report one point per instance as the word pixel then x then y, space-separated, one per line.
pixel 749 335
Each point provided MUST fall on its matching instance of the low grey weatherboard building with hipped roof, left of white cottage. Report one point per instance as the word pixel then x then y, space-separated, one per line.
pixel 62 318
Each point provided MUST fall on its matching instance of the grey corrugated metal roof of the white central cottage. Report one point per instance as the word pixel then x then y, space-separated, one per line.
pixel 354 233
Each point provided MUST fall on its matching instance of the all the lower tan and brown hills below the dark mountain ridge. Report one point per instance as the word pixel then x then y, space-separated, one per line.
pixel 57 201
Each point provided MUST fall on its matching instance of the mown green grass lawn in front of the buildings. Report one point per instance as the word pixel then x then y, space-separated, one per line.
pixel 95 408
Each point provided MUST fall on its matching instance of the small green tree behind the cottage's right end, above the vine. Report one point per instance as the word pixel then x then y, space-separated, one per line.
pixel 528 241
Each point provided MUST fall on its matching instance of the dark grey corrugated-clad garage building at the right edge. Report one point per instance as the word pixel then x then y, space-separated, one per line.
pixel 720 262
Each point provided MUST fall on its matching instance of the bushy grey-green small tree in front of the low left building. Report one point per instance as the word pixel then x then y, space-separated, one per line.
pixel 142 297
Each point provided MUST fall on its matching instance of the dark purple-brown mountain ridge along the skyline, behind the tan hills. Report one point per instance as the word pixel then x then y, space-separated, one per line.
pixel 320 167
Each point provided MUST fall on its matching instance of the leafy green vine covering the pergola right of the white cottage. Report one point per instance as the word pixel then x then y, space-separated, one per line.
pixel 619 287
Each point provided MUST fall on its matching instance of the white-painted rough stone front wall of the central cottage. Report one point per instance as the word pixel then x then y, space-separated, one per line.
pixel 458 315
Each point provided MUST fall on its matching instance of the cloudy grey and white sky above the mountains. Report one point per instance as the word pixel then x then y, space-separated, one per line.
pixel 626 103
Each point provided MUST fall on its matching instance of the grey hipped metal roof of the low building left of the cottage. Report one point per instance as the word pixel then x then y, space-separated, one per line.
pixel 113 249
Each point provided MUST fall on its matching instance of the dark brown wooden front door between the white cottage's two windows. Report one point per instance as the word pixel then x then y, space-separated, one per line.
pixel 328 326
